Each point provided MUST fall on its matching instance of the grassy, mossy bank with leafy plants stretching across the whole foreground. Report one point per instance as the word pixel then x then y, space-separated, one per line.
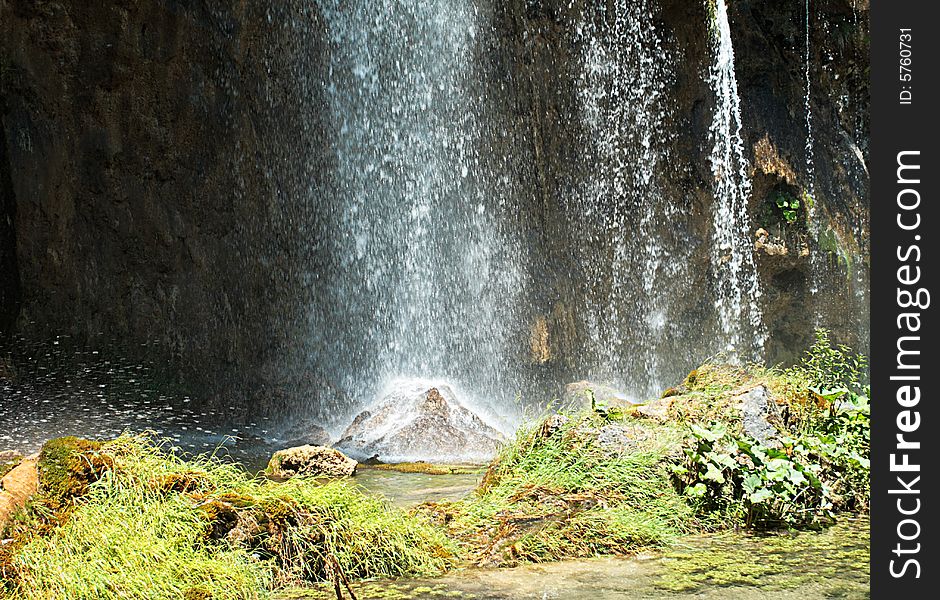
pixel 731 447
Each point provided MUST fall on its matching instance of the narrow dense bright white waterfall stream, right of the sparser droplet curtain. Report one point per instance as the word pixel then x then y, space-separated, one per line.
pixel 737 292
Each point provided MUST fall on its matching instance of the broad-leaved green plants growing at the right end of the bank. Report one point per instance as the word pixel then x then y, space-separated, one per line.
pixel 802 483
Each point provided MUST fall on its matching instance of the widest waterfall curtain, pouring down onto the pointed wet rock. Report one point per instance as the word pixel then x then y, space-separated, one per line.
pixel 422 278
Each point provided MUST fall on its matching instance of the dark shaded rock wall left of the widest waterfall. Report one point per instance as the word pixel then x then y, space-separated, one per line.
pixel 143 153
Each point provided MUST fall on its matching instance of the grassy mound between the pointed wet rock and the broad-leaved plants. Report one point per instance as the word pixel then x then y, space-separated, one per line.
pixel 548 497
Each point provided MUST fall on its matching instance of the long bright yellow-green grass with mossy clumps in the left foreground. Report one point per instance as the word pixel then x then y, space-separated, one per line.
pixel 157 526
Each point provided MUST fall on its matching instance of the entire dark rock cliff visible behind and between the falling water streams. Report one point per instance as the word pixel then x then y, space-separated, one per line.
pixel 151 156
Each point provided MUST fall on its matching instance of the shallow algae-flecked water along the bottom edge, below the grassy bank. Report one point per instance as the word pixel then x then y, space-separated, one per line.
pixel 806 566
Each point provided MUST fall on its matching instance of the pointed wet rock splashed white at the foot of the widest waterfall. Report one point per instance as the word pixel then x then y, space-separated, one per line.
pixel 417 422
